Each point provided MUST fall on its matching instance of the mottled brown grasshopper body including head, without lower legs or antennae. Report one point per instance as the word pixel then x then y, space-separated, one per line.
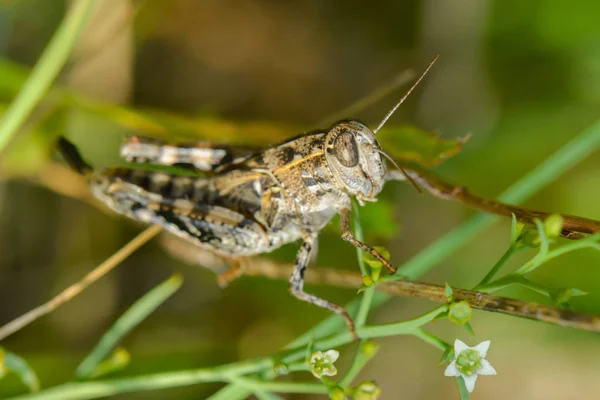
pixel 265 199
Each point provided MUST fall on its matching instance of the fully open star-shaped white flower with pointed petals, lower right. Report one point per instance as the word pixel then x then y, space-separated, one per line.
pixel 469 362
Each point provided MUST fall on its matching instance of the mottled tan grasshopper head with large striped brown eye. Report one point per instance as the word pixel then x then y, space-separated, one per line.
pixel 353 155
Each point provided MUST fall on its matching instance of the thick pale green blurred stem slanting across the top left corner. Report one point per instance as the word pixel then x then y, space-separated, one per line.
pixel 46 69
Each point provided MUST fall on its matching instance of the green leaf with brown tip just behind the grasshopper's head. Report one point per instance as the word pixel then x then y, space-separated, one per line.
pixel 413 144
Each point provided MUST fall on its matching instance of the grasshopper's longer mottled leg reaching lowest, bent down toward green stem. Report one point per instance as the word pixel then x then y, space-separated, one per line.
pixel 305 256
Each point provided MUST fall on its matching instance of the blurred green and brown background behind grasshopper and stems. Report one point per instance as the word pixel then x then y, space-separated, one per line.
pixel 522 77
